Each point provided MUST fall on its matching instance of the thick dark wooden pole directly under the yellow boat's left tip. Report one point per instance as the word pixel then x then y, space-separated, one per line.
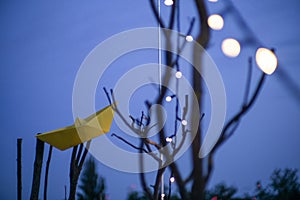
pixel 39 154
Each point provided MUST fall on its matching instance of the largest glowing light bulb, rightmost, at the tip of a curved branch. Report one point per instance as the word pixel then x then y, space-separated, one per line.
pixel 266 60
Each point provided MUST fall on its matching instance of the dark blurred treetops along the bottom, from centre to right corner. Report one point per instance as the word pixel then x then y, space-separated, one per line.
pixel 284 185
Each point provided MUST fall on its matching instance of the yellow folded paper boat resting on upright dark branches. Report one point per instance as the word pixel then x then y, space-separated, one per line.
pixel 83 130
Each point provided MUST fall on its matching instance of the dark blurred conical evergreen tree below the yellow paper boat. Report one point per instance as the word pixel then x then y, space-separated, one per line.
pixel 92 187
